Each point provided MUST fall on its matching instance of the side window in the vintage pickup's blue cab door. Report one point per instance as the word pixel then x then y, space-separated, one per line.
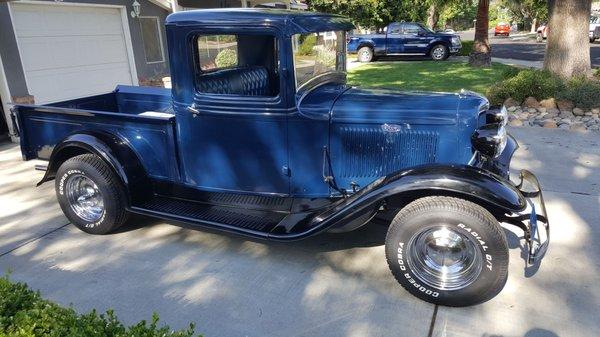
pixel 237 64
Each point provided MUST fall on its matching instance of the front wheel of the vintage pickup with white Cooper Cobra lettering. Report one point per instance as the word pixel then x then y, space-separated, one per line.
pixel 447 251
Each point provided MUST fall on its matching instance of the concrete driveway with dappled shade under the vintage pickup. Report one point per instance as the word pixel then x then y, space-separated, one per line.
pixel 331 285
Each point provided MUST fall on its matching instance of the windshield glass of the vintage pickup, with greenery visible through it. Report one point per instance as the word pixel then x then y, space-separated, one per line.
pixel 318 53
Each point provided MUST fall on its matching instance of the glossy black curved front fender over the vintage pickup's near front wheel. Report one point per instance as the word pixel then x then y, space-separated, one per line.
pixel 489 190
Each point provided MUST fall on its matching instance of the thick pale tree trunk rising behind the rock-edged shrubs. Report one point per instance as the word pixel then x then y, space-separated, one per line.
pixel 568 47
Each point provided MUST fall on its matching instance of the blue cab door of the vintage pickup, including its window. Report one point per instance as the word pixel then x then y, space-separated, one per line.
pixel 233 136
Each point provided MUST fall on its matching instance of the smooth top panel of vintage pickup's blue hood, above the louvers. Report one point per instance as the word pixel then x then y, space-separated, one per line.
pixel 380 106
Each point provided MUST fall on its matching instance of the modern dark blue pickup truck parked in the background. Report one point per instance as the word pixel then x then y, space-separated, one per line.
pixel 405 38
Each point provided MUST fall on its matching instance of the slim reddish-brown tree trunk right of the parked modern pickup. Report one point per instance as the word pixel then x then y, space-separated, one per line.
pixel 482 52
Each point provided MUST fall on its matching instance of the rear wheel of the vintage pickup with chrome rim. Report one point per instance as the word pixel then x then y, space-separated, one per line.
pixel 90 194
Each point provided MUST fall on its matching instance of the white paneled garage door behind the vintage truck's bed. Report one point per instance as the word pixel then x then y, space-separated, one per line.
pixel 71 51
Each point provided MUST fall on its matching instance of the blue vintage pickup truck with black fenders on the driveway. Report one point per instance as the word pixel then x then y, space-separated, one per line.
pixel 258 139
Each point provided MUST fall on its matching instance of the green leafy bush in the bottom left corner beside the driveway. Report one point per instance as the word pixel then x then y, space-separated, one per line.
pixel 24 313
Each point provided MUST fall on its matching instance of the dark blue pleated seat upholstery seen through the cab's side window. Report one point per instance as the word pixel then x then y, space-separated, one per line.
pixel 247 81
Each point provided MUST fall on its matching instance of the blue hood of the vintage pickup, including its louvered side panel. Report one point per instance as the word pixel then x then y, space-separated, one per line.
pixel 376 132
